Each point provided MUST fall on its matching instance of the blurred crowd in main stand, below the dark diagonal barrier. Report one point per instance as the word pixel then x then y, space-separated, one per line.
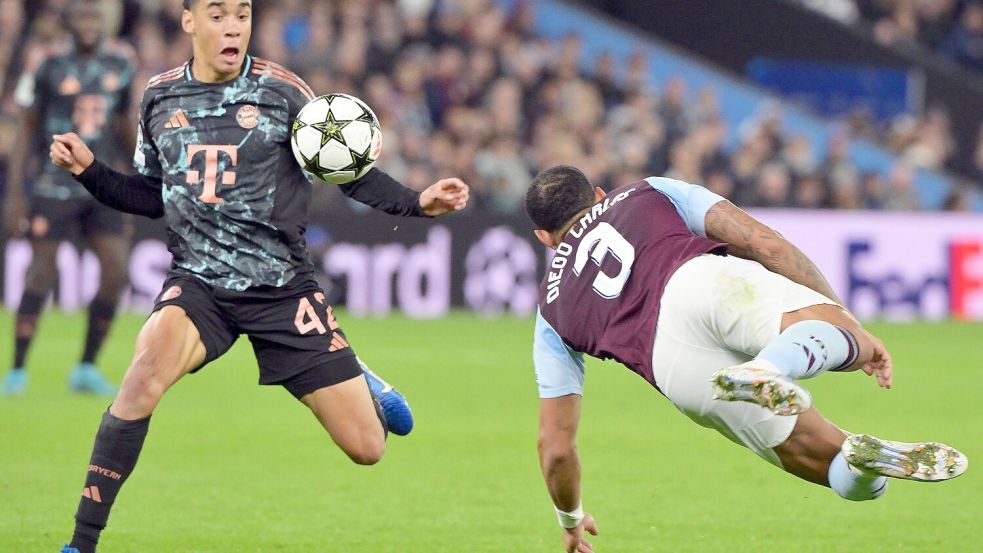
pixel 467 88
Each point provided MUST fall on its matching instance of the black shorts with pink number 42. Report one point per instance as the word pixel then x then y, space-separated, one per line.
pixel 296 339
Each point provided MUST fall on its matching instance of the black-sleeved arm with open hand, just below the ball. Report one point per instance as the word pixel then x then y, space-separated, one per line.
pixel 378 190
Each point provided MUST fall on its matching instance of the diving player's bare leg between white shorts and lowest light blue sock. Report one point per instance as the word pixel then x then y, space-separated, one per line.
pixel 811 447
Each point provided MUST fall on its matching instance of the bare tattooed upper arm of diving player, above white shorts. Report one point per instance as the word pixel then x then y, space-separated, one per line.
pixel 748 238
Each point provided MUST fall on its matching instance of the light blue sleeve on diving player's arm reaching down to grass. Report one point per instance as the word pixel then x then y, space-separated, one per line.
pixel 559 369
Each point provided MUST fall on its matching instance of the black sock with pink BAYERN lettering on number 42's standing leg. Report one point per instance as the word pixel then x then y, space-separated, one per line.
pixel 114 455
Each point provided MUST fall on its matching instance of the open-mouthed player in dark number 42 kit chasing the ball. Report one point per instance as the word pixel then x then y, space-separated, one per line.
pixel 214 158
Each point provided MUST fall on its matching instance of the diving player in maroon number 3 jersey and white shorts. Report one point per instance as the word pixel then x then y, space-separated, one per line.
pixel 720 314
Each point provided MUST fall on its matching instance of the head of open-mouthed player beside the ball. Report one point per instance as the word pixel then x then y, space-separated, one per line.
pixel 220 32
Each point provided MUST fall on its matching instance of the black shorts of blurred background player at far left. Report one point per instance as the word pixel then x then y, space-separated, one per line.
pixel 57 219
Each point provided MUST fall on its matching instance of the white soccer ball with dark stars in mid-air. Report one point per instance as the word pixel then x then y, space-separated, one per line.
pixel 336 138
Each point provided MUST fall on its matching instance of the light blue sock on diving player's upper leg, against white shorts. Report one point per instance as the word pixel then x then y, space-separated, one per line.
pixel 808 348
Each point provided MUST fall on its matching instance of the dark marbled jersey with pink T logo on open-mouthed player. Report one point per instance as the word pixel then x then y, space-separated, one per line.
pixel 234 197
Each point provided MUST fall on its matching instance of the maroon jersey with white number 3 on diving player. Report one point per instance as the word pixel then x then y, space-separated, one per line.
pixel 602 291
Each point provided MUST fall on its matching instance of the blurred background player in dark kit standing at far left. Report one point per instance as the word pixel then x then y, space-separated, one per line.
pixel 87 91
